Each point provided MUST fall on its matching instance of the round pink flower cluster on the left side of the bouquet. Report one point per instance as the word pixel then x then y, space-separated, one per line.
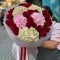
pixel 20 20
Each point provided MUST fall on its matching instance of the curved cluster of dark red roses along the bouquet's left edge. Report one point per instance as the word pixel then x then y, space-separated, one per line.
pixel 10 22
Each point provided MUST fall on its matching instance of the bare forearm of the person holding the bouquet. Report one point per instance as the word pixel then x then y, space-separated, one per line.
pixel 51 44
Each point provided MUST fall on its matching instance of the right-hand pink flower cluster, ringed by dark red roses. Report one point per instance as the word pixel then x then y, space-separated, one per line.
pixel 38 18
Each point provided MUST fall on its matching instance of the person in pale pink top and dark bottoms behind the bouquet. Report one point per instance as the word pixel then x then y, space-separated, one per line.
pixel 50 49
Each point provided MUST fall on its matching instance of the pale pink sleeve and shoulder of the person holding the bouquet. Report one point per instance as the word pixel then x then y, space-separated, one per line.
pixel 55 35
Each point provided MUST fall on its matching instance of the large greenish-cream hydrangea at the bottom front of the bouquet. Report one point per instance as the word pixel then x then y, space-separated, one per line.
pixel 28 34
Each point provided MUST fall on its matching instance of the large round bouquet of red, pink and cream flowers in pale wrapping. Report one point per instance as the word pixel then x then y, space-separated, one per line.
pixel 28 25
